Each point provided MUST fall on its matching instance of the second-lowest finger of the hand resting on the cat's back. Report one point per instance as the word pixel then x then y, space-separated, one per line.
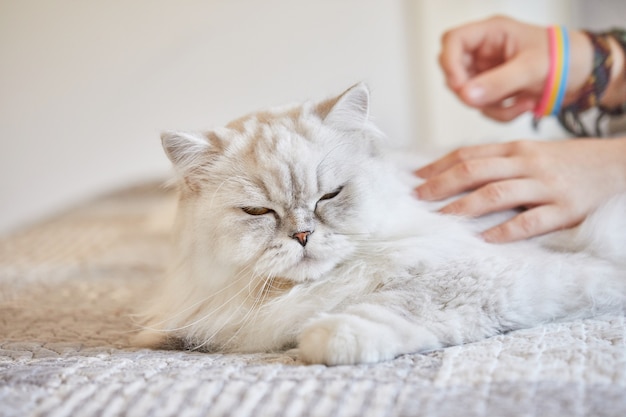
pixel 499 196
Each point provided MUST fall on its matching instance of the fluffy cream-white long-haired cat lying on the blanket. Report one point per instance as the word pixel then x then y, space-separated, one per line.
pixel 297 229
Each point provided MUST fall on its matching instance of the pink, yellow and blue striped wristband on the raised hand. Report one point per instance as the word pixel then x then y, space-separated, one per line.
pixel 554 89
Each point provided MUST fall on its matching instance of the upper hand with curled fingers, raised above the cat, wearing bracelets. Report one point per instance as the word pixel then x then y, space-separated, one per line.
pixel 499 65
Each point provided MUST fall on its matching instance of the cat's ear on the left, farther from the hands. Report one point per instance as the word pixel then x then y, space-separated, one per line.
pixel 190 151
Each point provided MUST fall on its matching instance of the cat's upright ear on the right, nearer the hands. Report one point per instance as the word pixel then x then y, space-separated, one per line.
pixel 349 110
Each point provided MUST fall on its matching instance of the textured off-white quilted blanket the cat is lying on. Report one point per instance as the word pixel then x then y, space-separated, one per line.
pixel 67 287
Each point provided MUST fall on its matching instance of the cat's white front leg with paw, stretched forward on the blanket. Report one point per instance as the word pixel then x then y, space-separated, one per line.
pixel 363 333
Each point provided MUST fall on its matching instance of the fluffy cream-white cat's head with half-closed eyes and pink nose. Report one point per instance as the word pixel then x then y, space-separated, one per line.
pixel 282 193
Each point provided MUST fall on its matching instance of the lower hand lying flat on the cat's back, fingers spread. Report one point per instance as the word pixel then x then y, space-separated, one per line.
pixel 559 183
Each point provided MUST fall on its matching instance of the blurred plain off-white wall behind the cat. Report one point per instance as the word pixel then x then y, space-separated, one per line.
pixel 86 86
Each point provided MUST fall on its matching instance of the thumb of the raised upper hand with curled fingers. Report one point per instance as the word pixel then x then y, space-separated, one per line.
pixel 498 83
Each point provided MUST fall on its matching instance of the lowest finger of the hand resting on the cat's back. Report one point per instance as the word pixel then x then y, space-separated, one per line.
pixel 530 223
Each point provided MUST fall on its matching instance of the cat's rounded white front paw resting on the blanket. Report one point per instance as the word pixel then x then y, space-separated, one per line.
pixel 345 339
